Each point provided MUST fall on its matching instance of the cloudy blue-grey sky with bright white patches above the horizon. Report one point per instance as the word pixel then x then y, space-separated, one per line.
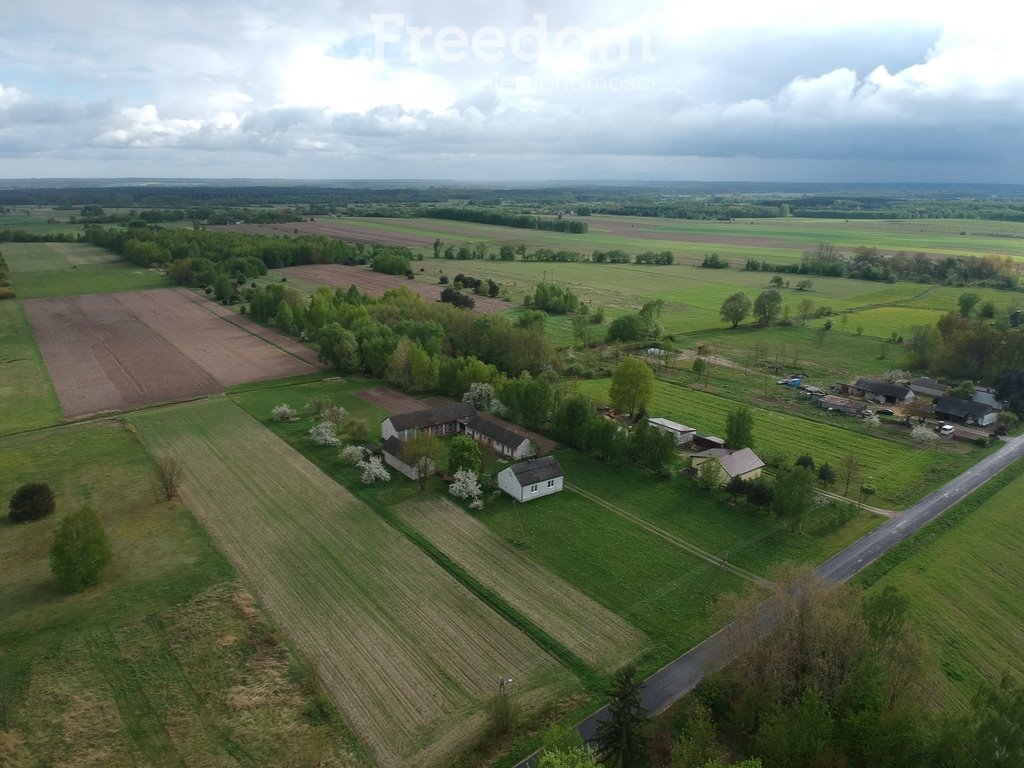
pixel 803 91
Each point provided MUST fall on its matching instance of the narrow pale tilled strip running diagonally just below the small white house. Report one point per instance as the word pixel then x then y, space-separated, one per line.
pixel 592 632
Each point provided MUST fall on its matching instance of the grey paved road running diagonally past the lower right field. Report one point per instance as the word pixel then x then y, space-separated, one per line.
pixel 680 676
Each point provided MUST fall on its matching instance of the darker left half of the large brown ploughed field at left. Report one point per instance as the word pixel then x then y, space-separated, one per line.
pixel 102 358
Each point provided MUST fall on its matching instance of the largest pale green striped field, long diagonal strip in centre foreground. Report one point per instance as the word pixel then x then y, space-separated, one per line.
pixel 406 652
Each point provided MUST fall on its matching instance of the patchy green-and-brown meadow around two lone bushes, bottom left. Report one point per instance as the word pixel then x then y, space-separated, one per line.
pixel 168 662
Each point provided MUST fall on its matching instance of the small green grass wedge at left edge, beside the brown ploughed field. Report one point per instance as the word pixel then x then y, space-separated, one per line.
pixel 27 398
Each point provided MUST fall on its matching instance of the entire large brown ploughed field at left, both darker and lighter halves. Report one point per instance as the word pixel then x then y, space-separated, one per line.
pixel 115 352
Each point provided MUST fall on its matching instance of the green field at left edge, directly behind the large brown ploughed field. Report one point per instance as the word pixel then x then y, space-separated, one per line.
pixel 41 270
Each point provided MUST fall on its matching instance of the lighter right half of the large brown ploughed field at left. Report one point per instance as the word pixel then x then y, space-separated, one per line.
pixel 229 354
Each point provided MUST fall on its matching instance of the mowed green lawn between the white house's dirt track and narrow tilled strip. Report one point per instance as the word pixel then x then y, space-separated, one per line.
pixel 657 587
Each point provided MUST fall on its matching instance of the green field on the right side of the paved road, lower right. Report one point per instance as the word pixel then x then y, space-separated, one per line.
pixel 965 577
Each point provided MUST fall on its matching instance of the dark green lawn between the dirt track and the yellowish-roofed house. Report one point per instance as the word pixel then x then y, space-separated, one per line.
pixel 742 536
